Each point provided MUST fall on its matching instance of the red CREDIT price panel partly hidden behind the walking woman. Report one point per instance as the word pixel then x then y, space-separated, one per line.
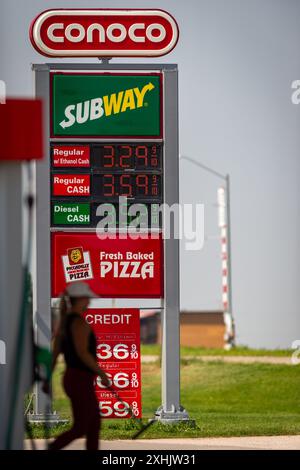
pixel 118 353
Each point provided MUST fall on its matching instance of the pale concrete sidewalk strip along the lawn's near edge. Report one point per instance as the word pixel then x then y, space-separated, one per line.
pixel 211 443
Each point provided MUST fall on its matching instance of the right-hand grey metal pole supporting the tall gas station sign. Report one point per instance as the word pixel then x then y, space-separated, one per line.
pixel 171 411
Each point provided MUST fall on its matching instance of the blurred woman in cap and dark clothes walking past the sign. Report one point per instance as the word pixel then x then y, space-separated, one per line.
pixel 76 340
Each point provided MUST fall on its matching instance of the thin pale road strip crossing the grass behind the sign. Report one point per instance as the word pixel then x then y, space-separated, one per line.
pixel 231 359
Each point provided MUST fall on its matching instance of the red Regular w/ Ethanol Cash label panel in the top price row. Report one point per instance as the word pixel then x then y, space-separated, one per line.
pixel 71 156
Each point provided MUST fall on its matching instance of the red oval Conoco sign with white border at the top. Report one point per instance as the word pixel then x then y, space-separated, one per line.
pixel 104 33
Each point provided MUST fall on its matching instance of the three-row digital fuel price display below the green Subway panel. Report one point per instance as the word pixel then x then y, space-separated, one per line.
pixel 86 175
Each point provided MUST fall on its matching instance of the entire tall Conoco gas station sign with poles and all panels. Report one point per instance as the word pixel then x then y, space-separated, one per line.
pixel 112 137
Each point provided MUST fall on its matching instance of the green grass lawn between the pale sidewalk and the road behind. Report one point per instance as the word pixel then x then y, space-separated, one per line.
pixel 224 399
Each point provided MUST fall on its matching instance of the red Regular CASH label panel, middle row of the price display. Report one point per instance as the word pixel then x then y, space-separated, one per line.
pixel 71 185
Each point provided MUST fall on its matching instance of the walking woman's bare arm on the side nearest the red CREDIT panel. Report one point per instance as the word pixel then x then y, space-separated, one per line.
pixel 80 334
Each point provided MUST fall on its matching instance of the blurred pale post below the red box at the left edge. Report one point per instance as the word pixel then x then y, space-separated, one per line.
pixel 10 295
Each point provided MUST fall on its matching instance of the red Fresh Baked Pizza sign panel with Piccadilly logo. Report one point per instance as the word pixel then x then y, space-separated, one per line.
pixel 119 265
